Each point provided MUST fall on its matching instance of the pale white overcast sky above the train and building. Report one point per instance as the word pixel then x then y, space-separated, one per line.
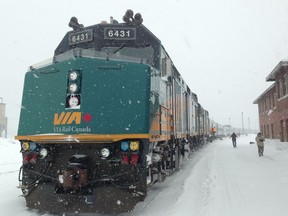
pixel 224 49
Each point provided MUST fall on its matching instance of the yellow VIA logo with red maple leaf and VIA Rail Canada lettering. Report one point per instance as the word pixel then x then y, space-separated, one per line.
pixel 68 121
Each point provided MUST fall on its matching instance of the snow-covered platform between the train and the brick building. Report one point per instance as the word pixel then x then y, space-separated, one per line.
pixel 236 182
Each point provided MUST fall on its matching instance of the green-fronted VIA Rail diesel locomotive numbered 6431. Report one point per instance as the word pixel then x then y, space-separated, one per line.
pixel 103 120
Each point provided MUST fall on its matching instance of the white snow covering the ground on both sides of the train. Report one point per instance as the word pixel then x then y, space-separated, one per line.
pixel 217 180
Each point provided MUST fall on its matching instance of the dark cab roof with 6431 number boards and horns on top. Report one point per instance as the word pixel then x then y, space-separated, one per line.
pixel 131 33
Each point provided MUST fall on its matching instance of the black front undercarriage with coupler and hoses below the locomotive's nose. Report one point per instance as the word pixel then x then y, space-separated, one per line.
pixel 74 178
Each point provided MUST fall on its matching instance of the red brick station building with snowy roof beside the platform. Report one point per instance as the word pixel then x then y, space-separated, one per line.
pixel 273 104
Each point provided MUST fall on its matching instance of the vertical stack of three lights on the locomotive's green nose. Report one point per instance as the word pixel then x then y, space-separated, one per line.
pixel 73 98
